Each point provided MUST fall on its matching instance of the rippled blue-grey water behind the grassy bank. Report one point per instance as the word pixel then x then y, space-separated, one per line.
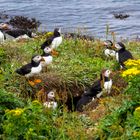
pixel 90 16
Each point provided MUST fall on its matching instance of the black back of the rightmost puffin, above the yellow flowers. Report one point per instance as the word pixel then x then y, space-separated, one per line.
pixel 124 55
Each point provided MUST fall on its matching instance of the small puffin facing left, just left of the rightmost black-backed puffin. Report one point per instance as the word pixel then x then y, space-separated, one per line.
pixel 109 52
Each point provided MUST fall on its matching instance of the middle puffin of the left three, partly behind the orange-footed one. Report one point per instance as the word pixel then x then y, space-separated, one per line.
pixel 47 57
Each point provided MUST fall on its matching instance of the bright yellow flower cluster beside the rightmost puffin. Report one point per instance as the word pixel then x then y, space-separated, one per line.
pixel 134 70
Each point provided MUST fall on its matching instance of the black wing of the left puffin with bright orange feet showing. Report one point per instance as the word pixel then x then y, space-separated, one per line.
pixel 24 69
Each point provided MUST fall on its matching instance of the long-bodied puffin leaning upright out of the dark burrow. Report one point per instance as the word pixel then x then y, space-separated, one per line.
pixel 104 84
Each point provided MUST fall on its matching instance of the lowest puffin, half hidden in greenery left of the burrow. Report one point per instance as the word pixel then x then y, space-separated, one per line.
pixel 51 103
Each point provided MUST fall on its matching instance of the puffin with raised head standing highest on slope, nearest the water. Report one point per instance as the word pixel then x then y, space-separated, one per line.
pixel 54 41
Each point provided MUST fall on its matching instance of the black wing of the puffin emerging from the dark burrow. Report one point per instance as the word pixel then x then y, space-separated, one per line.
pixel 94 89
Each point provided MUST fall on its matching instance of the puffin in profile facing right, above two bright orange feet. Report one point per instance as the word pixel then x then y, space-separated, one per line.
pixel 31 69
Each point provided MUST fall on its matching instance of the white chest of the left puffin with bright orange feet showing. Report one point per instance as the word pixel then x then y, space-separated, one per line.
pixel 34 70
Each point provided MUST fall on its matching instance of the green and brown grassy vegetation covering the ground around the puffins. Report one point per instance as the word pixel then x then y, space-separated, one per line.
pixel 78 64
